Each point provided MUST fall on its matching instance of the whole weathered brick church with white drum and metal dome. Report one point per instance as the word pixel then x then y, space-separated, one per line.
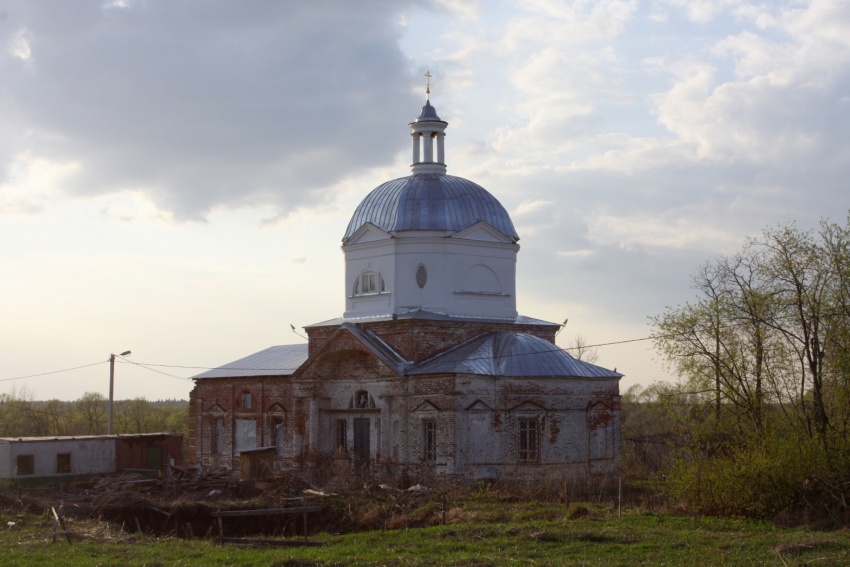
pixel 430 371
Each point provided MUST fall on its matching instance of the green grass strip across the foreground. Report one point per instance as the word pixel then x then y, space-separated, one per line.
pixel 533 535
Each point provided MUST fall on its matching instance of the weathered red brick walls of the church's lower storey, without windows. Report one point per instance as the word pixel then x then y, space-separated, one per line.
pixel 326 384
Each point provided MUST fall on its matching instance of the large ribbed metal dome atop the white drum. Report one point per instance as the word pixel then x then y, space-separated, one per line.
pixel 430 201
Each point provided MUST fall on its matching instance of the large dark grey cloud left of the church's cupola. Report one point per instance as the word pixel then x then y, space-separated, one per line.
pixel 200 109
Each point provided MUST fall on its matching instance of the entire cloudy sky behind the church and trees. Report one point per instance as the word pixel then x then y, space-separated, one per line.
pixel 176 177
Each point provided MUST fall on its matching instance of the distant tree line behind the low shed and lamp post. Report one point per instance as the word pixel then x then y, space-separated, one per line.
pixel 23 416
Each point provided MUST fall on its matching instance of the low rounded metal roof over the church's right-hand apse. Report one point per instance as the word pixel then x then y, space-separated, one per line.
pixel 510 354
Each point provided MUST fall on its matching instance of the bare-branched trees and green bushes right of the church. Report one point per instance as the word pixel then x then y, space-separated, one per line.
pixel 758 423
